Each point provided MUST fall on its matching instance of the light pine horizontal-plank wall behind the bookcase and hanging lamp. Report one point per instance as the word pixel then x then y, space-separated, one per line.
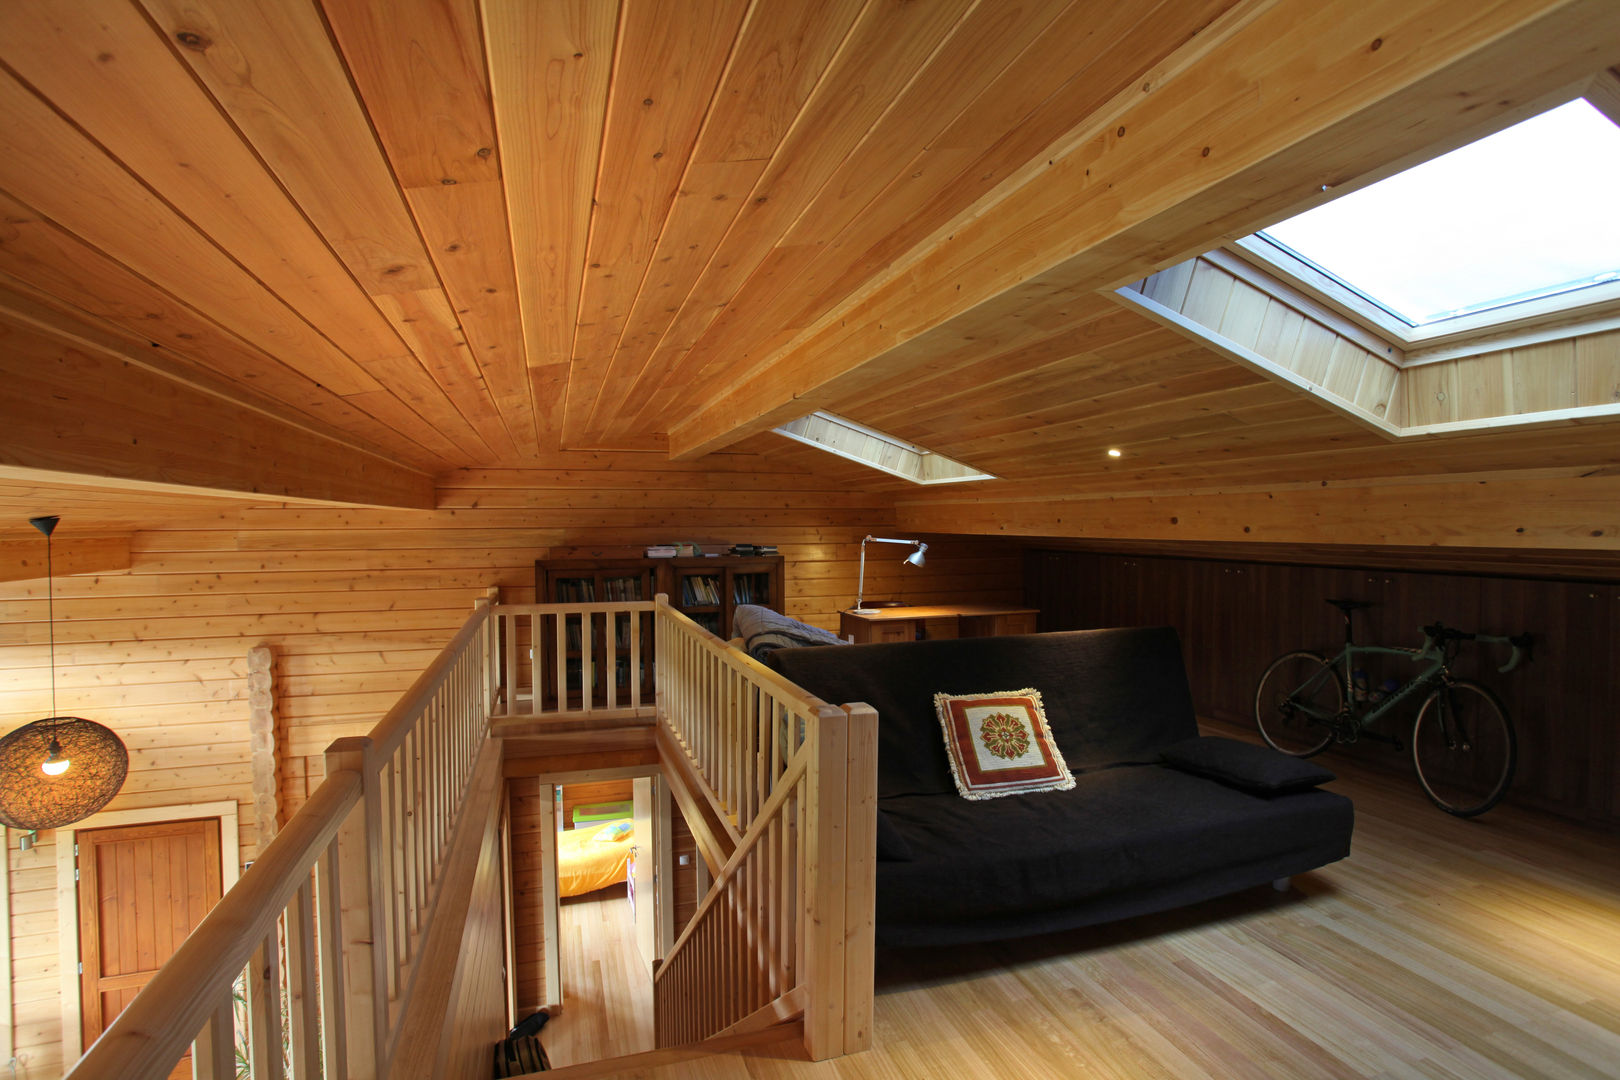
pixel 356 603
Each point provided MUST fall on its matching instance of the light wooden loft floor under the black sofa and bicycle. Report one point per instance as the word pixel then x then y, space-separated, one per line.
pixel 1439 950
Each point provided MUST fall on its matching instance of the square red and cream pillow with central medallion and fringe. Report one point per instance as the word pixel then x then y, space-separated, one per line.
pixel 999 744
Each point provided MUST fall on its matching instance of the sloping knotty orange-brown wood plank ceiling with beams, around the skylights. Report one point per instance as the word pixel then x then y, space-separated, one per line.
pixel 438 234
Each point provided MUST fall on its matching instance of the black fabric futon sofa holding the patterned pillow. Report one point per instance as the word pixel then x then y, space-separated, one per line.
pixel 1133 836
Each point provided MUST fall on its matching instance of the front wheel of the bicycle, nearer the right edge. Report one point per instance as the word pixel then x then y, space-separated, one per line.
pixel 1464 749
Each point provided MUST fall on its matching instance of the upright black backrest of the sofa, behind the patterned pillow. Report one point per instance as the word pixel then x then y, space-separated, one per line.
pixel 1112 695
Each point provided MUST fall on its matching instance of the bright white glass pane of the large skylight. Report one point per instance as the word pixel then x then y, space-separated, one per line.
pixel 1527 213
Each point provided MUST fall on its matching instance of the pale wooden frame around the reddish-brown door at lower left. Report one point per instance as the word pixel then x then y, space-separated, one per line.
pixel 69 893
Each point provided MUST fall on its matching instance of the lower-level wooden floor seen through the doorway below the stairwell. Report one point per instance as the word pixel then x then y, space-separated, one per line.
pixel 608 992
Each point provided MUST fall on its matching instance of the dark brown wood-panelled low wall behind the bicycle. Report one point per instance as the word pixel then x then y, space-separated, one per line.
pixel 1237 616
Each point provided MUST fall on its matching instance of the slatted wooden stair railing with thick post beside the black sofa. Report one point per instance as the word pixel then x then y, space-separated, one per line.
pixel 787 927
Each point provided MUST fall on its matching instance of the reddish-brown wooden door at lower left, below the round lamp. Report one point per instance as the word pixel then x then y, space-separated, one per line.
pixel 142 891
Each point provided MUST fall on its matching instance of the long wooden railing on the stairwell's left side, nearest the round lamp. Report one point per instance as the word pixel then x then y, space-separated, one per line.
pixel 310 961
